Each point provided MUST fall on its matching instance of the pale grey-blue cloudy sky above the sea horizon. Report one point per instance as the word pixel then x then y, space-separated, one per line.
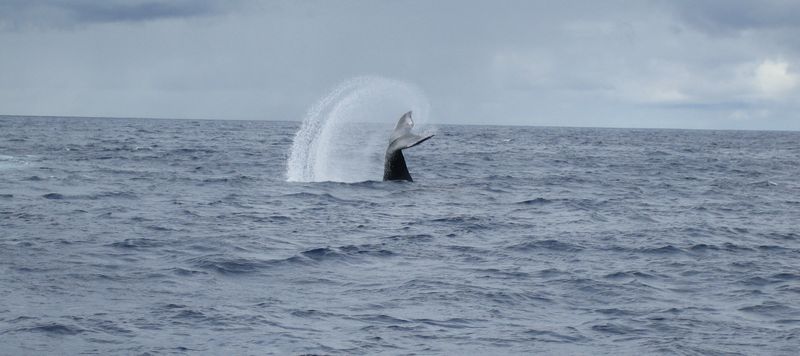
pixel 731 64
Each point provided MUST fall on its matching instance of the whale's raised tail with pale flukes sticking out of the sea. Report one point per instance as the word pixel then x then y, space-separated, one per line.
pixel 394 167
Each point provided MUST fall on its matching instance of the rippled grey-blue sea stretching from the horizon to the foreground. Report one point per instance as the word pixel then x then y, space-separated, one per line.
pixel 172 237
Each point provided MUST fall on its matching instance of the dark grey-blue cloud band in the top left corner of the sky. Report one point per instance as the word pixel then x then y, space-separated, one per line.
pixel 53 14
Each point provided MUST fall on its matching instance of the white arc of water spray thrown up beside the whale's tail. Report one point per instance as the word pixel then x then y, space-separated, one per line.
pixel 344 136
